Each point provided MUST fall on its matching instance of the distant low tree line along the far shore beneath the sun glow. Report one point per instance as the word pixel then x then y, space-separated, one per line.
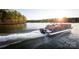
pixel 55 20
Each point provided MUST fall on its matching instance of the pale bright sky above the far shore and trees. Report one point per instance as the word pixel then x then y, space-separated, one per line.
pixel 37 14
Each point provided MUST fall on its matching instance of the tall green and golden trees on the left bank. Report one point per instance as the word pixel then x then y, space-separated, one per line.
pixel 10 16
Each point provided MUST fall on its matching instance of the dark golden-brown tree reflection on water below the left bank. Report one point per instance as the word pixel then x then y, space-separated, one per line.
pixel 8 28
